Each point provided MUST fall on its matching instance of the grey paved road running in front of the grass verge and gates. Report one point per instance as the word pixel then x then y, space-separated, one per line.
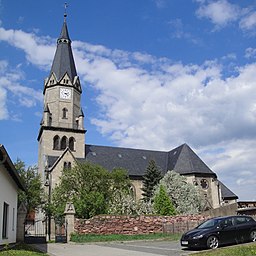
pixel 141 248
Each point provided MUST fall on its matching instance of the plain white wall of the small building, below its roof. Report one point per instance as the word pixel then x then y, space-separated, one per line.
pixel 8 194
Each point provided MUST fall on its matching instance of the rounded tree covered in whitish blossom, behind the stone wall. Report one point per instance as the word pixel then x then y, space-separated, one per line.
pixel 186 198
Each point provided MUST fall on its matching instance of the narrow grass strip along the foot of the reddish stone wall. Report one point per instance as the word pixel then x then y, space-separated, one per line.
pixel 118 237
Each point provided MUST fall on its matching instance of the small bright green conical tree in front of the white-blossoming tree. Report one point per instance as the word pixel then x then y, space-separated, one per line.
pixel 162 203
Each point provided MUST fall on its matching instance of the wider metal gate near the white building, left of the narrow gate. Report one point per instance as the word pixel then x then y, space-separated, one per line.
pixel 35 231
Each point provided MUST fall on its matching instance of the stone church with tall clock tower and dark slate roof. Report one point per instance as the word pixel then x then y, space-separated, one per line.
pixel 62 141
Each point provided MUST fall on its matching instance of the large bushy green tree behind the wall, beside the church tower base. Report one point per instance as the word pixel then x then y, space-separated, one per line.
pixel 90 187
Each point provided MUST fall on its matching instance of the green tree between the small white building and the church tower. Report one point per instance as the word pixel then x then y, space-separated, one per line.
pixel 33 196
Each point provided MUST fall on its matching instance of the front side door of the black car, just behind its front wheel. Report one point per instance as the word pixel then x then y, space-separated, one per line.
pixel 227 231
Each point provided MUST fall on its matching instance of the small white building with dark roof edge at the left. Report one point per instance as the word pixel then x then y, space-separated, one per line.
pixel 10 183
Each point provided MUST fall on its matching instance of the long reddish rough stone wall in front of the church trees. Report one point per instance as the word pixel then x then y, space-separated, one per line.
pixel 108 224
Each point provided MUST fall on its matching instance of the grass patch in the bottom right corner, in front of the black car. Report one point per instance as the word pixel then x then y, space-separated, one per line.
pixel 237 250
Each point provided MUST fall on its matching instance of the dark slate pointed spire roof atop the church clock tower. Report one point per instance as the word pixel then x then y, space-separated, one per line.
pixel 63 61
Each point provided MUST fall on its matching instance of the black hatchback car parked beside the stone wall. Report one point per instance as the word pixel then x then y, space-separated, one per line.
pixel 220 231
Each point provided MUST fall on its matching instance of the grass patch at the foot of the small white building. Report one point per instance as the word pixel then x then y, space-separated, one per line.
pixel 20 250
